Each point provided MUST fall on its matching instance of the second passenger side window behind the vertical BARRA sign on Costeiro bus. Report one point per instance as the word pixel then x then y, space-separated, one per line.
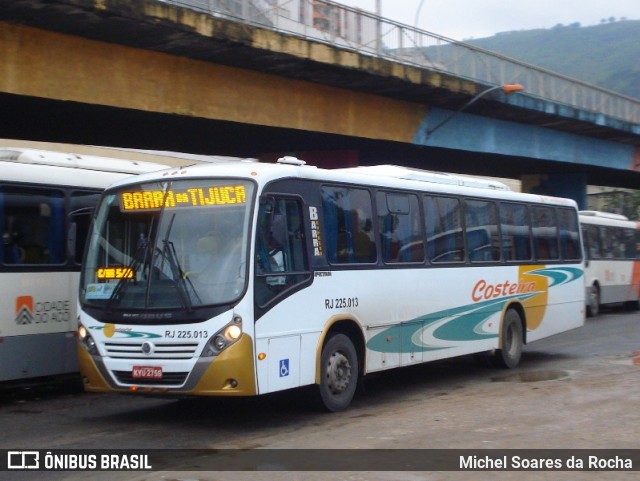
pixel 400 227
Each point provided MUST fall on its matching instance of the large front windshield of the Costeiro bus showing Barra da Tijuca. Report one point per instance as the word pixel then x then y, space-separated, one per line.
pixel 169 245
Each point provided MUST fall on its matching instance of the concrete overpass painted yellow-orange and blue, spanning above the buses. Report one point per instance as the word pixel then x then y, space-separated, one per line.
pixel 152 75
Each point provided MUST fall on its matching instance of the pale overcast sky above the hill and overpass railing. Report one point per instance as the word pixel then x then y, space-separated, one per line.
pixel 467 19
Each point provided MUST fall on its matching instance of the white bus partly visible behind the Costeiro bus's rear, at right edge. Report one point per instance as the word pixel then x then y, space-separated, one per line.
pixel 612 251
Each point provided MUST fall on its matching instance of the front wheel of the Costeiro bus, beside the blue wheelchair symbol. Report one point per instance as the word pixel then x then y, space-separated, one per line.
pixel 338 373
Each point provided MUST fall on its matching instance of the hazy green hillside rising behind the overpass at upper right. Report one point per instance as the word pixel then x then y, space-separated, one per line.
pixel 606 55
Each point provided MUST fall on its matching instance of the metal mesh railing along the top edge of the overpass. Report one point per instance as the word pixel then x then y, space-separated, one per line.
pixel 369 34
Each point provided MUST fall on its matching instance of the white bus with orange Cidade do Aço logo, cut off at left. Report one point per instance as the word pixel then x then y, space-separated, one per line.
pixel 41 252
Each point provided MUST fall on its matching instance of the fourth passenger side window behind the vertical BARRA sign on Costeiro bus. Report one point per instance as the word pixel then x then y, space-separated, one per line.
pixel 483 240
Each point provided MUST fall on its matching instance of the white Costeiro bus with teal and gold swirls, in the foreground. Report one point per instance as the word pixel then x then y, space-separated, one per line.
pixel 246 278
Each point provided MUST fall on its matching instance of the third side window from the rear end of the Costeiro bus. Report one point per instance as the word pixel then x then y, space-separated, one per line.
pixel 516 233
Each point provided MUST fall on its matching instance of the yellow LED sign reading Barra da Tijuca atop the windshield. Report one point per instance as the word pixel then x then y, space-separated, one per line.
pixel 191 197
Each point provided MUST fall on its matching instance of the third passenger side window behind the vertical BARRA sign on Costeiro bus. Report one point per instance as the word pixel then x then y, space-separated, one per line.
pixel 443 219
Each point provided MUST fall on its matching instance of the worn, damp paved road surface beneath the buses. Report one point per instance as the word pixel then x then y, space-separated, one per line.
pixel 577 390
